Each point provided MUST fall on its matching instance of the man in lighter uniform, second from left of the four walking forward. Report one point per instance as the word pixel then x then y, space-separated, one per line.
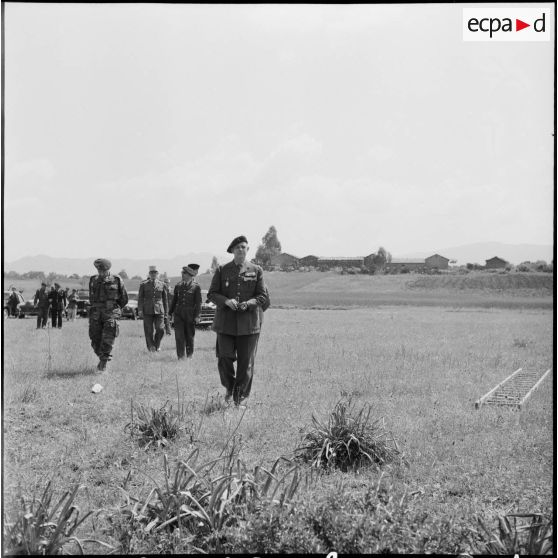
pixel 153 308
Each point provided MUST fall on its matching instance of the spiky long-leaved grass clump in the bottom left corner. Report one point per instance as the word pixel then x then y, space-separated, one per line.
pixel 41 527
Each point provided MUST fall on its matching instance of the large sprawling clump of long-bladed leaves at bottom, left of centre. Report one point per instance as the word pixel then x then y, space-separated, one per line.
pixel 199 503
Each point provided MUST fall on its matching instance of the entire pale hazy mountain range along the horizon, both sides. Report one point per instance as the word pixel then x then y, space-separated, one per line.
pixel 469 253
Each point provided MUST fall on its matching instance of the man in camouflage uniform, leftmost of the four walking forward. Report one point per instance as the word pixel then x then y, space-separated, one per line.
pixel 107 296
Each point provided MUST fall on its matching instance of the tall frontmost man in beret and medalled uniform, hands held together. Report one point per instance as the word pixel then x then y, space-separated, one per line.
pixel 238 291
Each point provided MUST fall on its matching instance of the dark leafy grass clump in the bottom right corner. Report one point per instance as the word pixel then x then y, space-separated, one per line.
pixel 517 537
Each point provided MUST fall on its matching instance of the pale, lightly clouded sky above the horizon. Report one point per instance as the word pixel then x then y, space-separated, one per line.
pixel 154 130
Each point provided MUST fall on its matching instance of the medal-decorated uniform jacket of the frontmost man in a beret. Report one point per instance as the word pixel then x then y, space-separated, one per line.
pixel 242 283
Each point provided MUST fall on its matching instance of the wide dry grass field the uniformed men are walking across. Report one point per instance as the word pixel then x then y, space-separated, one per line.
pixel 420 366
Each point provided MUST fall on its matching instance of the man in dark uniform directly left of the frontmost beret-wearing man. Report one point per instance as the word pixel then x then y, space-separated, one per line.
pixel 185 309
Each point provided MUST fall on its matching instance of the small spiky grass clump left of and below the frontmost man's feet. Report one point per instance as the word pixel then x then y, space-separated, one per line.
pixel 154 426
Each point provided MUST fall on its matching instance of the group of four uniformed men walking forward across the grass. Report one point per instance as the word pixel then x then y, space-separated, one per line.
pixel 237 289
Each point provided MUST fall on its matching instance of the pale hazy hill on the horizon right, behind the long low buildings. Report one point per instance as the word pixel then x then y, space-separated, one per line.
pixel 482 251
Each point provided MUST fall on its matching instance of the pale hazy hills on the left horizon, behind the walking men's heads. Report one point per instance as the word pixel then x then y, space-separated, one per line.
pixel 84 266
